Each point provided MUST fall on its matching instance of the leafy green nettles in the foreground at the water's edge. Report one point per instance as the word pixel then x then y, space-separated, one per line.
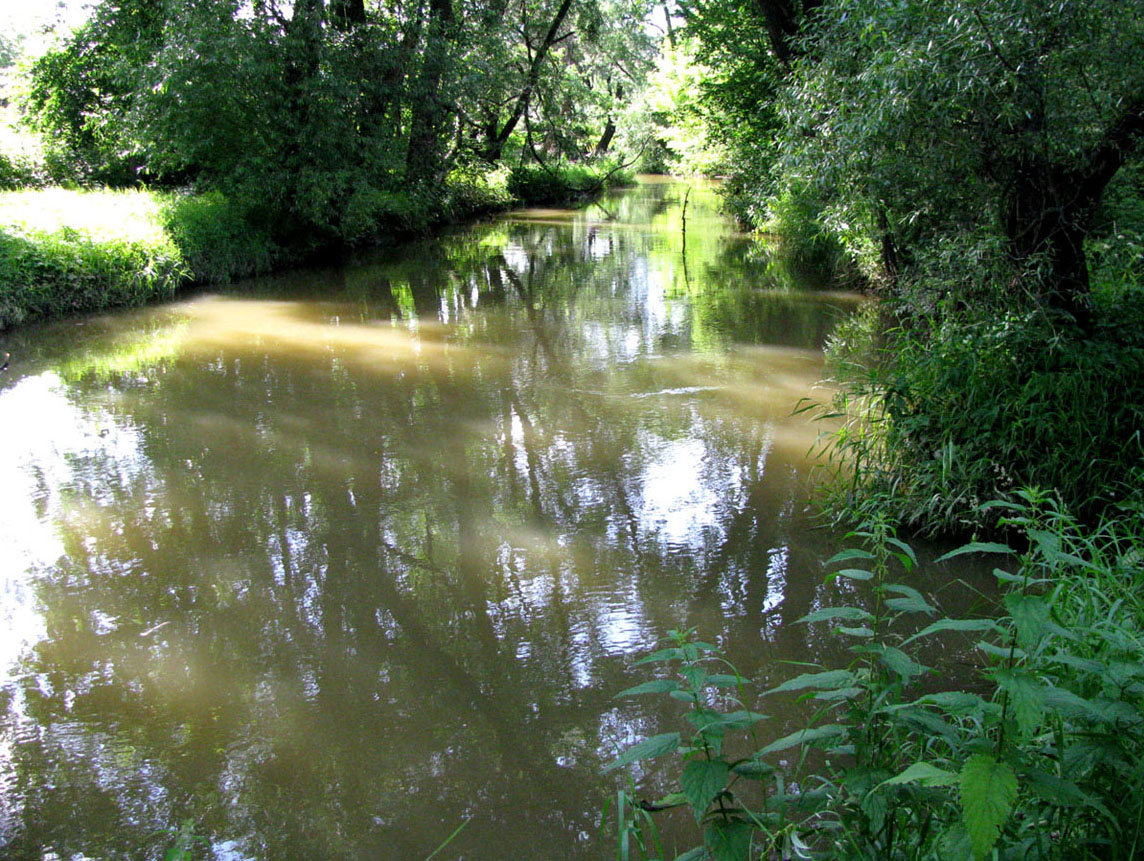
pixel 1043 758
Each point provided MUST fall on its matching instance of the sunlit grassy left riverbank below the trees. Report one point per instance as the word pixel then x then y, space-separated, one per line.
pixel 67 252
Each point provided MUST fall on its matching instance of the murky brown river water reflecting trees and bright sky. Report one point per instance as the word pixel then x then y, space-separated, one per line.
pixel 330 564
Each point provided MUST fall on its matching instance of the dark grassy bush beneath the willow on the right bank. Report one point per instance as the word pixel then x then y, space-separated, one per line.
pixel 960 411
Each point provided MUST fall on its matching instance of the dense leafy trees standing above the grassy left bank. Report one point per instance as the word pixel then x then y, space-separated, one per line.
pixel 331 123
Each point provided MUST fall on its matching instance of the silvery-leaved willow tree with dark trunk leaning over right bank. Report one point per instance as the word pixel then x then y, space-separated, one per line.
pixel 942 121
